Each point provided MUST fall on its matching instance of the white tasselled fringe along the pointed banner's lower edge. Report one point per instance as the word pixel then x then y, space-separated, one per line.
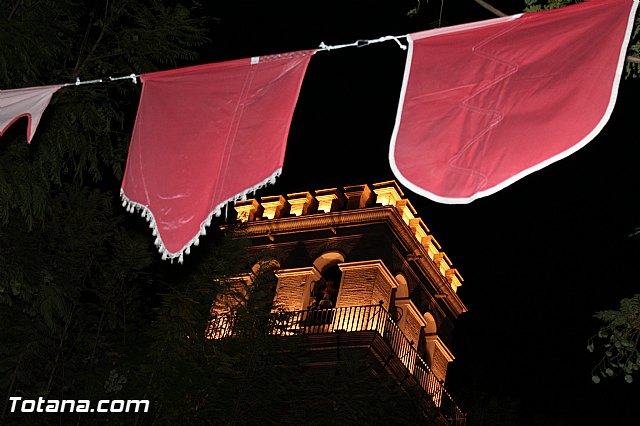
pixel 145 212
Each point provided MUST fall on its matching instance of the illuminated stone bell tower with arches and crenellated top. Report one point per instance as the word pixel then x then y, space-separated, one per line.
pixel 359 261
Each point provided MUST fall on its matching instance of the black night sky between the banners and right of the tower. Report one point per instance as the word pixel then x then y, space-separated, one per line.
pixel 538 258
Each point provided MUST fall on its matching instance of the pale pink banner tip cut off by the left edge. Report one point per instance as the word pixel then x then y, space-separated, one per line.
pixel 30 102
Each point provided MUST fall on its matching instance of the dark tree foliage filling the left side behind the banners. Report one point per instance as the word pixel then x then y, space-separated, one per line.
pixel 86 305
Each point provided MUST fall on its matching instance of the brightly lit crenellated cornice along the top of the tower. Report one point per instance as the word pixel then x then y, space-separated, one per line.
pixel 322 212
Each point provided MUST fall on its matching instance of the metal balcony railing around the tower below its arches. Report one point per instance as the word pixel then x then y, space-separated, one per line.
pixel 353 318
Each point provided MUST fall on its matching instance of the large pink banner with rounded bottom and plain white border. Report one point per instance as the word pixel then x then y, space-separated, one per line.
pixel 485 104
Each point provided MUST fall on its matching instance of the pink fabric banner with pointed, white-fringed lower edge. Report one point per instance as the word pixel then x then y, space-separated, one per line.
pixel 206 135
